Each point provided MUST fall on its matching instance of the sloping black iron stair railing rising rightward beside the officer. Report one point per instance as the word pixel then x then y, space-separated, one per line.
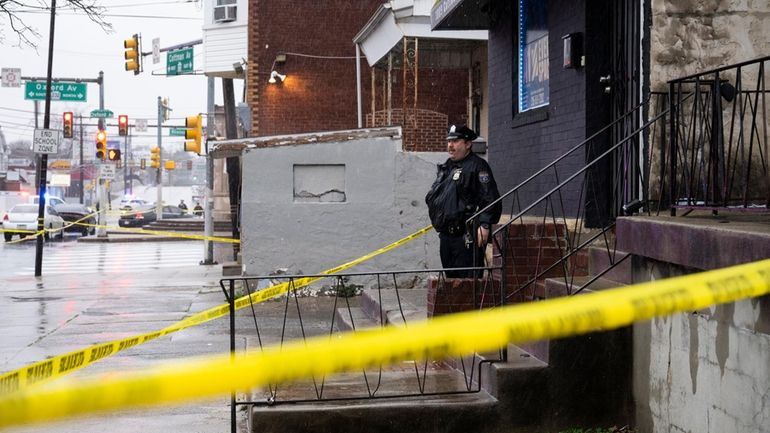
pixel 548 233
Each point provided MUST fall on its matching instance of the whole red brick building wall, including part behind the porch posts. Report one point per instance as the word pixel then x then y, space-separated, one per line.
pixel 319 94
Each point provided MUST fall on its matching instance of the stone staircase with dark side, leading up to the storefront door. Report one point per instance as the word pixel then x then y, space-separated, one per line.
pixel 545 386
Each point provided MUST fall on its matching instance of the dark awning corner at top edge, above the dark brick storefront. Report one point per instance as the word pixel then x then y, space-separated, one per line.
pixel 459 15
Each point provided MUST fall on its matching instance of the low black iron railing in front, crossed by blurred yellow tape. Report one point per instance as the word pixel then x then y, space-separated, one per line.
pixel 329 307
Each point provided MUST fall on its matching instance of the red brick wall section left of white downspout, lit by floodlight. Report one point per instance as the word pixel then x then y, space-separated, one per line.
pixel 319 94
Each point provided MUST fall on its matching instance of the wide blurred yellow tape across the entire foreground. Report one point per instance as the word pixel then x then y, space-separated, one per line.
pixel 441 337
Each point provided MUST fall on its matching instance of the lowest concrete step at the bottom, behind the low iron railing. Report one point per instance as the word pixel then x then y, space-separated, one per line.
pixel 428 413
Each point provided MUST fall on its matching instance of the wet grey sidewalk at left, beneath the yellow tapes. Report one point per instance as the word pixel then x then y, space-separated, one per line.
pixel 55 314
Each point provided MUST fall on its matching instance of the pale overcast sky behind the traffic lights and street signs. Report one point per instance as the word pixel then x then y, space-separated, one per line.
pixel 82 49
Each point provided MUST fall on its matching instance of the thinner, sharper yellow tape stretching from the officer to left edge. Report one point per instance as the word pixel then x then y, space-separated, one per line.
pixel 57 366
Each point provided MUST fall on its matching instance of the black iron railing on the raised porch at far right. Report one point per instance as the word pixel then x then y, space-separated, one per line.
pixel 718 156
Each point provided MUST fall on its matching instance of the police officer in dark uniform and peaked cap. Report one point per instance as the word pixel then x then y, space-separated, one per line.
pixel 463 186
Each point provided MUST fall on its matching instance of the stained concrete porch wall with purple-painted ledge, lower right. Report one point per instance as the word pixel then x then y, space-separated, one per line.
pixel 705 370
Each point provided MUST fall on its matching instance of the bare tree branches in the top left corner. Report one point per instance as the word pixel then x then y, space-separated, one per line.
pixel 12 11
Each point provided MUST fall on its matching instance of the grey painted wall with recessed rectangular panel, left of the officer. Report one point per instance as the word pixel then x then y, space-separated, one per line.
pixel 384 190
